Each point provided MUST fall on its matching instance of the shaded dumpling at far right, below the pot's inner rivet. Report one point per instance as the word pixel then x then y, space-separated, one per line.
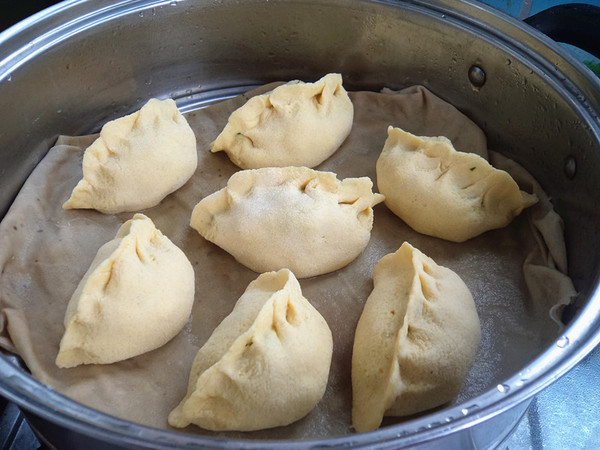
pixel 445 193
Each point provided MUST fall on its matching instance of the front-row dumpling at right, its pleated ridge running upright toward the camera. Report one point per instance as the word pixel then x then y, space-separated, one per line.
pixel 415 340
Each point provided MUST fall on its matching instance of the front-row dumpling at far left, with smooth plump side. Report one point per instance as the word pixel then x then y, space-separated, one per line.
pixel 135 297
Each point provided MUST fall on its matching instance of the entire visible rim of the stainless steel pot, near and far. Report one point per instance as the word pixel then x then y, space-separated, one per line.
pixel 578 339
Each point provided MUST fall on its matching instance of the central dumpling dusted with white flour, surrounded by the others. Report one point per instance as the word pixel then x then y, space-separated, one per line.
pixel 289 217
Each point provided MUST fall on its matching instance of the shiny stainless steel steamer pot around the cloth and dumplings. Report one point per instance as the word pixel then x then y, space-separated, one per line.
pixel 78 64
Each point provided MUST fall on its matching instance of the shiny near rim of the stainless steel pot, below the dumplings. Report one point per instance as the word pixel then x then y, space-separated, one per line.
pixel 48 404
